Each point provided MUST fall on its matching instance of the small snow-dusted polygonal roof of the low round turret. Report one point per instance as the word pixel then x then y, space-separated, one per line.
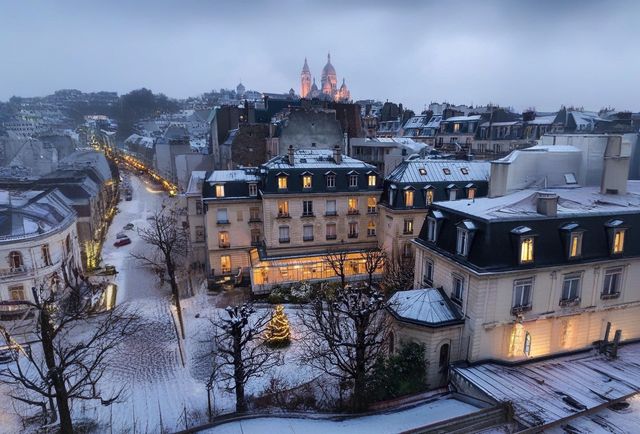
pixel 427 306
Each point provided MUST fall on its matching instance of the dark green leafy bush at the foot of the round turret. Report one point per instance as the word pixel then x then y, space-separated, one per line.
pixel 400 374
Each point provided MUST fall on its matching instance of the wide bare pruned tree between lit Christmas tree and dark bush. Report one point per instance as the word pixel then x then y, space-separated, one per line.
pixel 345 336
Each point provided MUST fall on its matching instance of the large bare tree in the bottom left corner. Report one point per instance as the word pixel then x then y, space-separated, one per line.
pixel 74 341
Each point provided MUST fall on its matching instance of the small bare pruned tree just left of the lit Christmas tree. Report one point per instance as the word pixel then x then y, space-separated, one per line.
pixel 239 349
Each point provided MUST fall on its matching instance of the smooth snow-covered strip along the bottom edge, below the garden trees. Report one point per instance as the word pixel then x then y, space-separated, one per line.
pixel 392 422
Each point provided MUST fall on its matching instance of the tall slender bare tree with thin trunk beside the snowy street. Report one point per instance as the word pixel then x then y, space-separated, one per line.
pixel 170 240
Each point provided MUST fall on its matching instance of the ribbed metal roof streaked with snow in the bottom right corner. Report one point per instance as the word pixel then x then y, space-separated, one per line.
pixel 562 387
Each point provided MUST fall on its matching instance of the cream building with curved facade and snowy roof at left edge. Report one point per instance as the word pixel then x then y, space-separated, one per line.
pixel 38 237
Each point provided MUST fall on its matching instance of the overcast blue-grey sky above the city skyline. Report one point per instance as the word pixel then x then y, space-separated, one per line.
pixel 516 53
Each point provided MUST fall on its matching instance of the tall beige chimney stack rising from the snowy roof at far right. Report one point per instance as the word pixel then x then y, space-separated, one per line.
pixel 615 171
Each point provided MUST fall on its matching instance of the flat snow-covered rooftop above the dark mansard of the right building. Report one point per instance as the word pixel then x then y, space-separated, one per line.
pixel 571 202
